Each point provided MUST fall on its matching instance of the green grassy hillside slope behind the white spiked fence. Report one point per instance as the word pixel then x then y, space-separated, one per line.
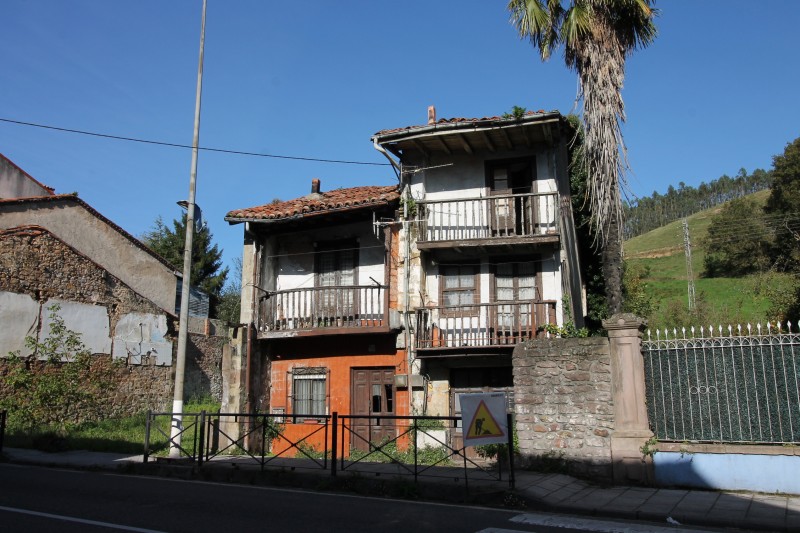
pixel 719 300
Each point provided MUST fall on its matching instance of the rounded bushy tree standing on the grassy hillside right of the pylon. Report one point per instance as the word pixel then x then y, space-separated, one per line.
pixel 738 241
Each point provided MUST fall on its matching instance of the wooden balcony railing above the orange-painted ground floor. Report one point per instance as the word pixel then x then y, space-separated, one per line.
pixel 324 311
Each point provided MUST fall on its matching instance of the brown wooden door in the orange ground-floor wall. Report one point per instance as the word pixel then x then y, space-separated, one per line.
pixel 372 395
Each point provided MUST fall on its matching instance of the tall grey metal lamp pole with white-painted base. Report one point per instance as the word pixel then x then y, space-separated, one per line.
pixel 183 333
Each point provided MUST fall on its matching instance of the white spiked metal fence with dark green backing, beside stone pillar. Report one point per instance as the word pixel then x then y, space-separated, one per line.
pixel 729 386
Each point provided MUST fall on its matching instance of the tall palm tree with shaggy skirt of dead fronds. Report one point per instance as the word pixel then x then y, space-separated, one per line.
pixel 598 36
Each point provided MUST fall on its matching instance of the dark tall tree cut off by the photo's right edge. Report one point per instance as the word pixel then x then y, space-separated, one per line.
pixel 783 206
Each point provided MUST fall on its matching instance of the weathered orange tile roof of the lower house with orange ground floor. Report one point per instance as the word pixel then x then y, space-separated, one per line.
pixel 318 203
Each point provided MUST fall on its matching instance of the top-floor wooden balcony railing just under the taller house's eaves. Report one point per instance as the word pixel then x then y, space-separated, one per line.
pixel 492 217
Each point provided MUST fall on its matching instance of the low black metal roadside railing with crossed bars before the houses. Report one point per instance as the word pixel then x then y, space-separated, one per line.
pixel 417 446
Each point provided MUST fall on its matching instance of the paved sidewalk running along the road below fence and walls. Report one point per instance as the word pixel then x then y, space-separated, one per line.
pixel 544 492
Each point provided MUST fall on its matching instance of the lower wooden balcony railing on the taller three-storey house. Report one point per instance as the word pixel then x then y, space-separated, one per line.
pixel 478 325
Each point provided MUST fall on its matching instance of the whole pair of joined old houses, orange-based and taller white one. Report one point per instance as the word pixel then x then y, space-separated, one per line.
pixel 392 300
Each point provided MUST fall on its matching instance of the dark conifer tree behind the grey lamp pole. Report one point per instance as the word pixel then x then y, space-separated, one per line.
pixel 207 271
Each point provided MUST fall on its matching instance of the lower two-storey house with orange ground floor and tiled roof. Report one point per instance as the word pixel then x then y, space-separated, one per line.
pixel 317 290
